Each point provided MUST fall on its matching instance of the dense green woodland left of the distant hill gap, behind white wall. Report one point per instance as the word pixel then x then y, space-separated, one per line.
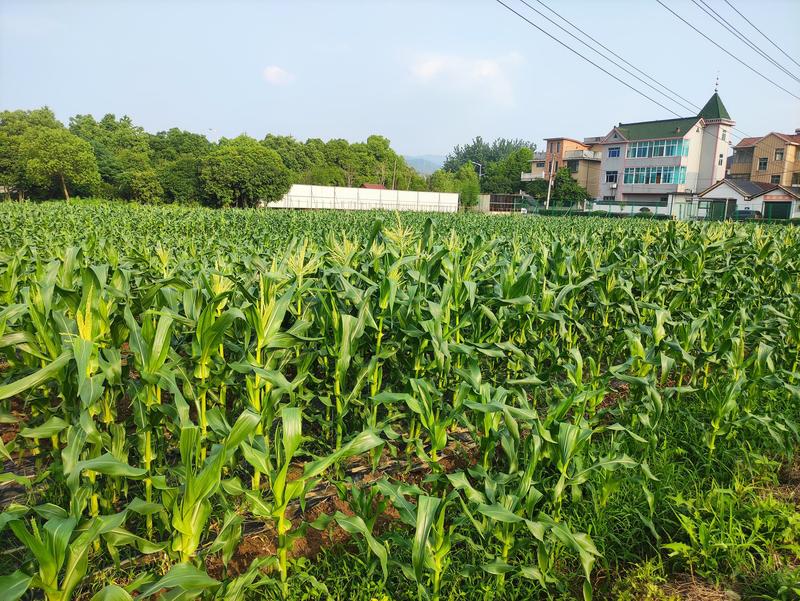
pixel 166 167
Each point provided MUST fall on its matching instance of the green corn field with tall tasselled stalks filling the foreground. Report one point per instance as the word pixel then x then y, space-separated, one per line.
pixel 457 406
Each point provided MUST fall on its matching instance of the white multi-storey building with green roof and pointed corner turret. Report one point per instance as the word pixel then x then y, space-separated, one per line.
pixel 658 166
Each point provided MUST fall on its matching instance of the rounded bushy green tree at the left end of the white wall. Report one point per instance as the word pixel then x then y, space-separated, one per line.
pixel 241 172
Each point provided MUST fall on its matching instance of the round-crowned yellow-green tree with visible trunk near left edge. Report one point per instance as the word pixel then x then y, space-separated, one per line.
pixel 56 155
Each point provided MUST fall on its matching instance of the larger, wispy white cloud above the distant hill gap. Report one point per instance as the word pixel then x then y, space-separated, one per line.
pixel 488 77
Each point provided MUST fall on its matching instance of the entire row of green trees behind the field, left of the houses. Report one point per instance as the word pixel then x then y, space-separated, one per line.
pixel 114 158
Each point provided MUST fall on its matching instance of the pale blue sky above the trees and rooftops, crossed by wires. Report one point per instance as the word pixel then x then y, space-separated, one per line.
pixel 428 75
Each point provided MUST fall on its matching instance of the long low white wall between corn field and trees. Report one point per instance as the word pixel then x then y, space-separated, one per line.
pixel 302 196
